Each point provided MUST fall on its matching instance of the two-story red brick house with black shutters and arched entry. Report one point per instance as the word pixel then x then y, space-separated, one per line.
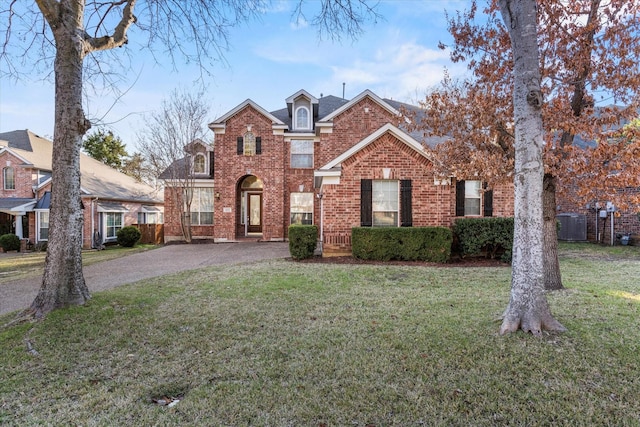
pixel 327 161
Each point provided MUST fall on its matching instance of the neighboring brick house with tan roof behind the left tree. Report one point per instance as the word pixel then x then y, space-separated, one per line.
pixel 110 199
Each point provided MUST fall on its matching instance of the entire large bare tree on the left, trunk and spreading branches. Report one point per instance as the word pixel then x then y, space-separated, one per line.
pixel 68 36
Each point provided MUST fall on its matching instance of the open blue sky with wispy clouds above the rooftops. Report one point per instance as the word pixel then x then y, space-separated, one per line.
pixel 268 60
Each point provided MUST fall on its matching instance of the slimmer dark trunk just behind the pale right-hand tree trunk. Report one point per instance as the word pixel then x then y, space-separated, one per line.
pixel 552 277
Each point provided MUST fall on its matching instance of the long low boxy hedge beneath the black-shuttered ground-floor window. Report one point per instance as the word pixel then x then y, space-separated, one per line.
pixel 431 244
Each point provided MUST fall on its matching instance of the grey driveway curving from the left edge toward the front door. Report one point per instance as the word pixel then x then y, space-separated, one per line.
pixel 169 259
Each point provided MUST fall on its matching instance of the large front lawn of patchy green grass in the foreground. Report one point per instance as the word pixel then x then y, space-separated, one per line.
pixel 281 343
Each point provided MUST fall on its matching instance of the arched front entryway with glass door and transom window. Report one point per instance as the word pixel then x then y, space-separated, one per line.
pixel 249 199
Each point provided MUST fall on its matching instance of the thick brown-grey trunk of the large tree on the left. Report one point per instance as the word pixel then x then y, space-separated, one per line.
pixel 63 282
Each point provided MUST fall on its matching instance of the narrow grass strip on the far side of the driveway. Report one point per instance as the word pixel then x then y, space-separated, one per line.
pixel 23 265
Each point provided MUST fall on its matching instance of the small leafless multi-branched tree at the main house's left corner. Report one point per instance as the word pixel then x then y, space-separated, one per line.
pixel 168 146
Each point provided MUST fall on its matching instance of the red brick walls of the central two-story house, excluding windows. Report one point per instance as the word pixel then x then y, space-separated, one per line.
pixel 432 204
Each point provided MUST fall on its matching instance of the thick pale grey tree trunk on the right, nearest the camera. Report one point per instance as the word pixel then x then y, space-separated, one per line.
pixel 528 308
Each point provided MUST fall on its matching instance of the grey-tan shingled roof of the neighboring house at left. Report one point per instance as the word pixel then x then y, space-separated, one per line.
pixel 96 178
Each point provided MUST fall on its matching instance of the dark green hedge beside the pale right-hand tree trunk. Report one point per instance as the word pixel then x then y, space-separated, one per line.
pixel 491 236
